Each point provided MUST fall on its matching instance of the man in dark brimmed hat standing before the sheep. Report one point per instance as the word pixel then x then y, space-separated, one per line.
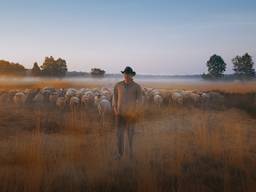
pixel 127 100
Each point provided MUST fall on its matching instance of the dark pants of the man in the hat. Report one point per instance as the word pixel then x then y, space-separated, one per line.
pixel 124 123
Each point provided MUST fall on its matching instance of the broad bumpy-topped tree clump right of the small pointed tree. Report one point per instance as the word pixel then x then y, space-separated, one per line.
pixel 54 68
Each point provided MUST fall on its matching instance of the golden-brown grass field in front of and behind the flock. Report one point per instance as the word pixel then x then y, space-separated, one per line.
pixel 175 148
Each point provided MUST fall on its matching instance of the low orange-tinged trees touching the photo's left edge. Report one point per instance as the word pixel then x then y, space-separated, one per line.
pixel 9 68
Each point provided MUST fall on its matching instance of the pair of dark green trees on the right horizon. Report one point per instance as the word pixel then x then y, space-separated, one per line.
pixel 242 66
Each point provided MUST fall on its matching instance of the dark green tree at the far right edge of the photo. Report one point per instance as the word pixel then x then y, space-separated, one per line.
pixel 243 66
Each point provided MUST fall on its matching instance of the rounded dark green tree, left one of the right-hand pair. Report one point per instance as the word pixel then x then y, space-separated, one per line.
pixel 216 67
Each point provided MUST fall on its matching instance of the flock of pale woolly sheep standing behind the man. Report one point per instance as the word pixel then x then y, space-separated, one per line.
pixel 101 99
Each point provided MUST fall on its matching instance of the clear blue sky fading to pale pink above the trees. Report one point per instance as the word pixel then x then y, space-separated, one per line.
pixel 164 37
